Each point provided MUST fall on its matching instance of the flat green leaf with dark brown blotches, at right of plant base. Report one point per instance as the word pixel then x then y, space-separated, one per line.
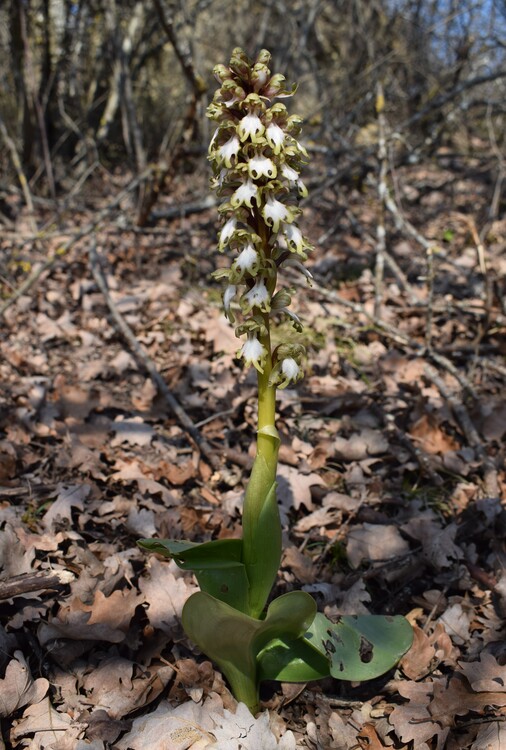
pixel 361 647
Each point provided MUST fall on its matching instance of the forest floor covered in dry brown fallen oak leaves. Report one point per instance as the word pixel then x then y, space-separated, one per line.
pixel 390 479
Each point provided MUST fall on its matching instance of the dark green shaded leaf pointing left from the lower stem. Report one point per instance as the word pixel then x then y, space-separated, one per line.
pixel 217 566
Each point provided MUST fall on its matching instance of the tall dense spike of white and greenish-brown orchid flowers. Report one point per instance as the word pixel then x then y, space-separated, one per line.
pixel 256 162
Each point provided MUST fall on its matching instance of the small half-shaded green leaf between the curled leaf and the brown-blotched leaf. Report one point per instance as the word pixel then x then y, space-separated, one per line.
pixel 292 661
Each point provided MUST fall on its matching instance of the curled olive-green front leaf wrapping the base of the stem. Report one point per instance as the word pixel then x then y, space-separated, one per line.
pixel 234 640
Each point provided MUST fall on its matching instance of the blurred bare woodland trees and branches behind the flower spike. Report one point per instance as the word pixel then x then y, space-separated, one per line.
pixel 126 84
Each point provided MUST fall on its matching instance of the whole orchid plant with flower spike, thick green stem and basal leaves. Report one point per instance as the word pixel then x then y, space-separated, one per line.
pixel 256 161
